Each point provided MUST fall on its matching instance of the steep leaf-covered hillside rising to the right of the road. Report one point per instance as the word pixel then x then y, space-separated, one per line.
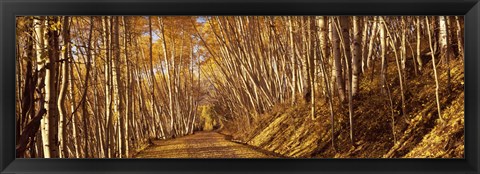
pixel 290 131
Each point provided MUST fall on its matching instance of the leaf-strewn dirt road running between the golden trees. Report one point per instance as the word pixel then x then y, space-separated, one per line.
pixel 200 145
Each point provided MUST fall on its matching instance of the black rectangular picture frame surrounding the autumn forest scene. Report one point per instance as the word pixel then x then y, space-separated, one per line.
pixel 11 8
